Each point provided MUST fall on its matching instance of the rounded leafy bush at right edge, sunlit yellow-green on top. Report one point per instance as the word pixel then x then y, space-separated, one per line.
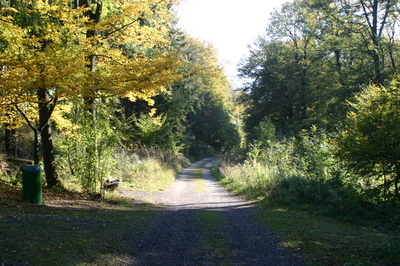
pixel 369 142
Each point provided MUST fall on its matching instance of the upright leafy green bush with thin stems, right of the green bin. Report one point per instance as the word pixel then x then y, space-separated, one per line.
pixel 88 146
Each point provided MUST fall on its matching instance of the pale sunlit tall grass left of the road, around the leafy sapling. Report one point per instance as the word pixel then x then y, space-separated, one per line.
pixel 147 169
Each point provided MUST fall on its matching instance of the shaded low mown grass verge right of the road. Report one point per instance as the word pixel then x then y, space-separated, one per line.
pixel 327 241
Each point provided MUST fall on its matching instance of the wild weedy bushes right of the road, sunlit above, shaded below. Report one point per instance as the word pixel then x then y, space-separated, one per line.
pixel 304 173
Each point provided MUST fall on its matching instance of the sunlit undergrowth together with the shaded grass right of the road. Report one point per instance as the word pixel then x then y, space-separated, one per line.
pixel 317 205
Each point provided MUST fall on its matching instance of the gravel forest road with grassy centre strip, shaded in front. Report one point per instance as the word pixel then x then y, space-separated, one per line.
pixel 203 224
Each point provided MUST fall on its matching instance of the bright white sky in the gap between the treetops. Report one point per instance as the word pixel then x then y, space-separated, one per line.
pixel 230 25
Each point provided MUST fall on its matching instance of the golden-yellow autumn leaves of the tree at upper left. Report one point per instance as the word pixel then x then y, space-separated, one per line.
pixel 45 45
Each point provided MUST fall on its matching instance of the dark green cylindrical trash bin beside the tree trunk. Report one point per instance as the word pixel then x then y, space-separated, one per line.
pixel 32 184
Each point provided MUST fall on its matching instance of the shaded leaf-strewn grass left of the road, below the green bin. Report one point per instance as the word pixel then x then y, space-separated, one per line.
pixel 69 229
